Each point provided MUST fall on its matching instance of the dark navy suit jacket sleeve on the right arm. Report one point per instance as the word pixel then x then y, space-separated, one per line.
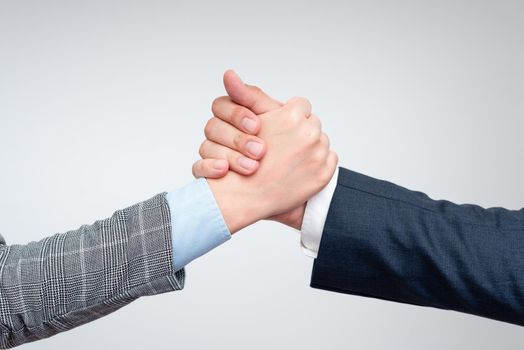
pixel 384 241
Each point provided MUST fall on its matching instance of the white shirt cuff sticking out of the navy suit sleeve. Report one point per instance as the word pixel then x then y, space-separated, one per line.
pixel 315 217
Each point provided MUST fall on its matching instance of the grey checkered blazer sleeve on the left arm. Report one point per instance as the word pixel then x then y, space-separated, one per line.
pixel 73 278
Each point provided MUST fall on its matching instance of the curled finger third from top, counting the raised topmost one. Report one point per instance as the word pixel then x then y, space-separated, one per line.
pixel 227 135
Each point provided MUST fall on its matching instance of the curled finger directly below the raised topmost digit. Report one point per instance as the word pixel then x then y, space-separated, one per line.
pixel 238 116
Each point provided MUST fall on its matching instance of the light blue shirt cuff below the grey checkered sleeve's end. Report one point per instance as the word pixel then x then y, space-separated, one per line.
pixel 197 225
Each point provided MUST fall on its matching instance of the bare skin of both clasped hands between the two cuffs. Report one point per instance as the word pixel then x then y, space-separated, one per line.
pixel 292 161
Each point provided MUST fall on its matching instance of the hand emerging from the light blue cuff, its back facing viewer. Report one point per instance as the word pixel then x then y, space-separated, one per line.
pixel 297 165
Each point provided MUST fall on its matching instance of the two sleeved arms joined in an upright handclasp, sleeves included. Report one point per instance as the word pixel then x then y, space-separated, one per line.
pixel 263 159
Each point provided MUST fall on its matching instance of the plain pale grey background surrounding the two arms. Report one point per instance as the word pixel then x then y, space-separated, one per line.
pixel 103 103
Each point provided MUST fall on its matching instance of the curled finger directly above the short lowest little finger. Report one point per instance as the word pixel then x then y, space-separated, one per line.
pixel 237 162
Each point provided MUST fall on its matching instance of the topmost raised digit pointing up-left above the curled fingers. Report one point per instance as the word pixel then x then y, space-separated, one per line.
pixel 251 97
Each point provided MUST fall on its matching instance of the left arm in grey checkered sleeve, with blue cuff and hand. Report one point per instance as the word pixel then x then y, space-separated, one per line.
pixel 73 278
